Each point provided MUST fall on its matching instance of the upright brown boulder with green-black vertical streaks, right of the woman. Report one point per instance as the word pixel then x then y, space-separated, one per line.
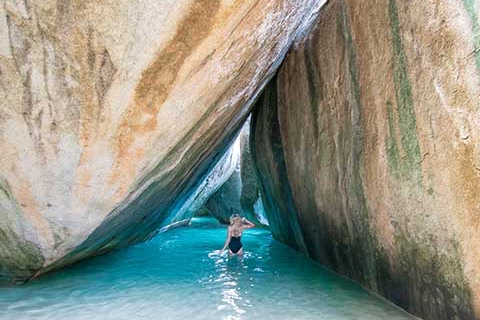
pixel 368 140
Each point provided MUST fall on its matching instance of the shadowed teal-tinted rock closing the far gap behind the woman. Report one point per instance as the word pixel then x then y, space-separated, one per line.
pixel 240 193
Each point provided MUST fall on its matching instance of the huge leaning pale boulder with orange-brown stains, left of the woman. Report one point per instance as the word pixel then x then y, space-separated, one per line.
pixel 113 112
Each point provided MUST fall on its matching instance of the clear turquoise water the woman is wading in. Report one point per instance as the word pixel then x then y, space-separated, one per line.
pixel 176 276
